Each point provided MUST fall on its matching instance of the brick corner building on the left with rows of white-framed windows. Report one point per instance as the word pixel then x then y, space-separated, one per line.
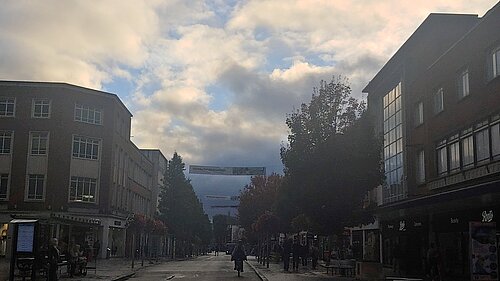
pixel 66 159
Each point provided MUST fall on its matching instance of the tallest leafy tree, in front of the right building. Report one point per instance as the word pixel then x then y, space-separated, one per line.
pixel 332 158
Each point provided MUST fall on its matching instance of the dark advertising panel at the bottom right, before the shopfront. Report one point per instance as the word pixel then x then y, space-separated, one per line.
pixel 483 254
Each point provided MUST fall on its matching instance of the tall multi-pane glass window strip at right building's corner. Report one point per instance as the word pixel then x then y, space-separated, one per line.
pixel 393 146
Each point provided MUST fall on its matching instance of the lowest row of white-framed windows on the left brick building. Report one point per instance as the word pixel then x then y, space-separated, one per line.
pixel 81 189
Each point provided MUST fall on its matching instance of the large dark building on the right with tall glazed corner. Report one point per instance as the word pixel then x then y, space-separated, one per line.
pixel 437 104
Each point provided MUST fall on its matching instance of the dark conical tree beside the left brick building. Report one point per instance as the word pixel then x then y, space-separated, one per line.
pixel 180 208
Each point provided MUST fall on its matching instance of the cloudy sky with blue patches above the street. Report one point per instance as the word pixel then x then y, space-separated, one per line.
pixel 212 80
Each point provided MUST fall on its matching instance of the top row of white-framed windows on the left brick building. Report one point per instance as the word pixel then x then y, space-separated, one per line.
pixel 41 109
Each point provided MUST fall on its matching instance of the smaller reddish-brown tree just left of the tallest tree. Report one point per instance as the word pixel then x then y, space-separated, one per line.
pixel 258 197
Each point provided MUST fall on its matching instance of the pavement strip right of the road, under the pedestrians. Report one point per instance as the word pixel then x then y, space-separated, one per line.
pixel 275 272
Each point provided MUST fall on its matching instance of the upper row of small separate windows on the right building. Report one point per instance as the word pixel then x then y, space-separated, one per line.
pixel 462 83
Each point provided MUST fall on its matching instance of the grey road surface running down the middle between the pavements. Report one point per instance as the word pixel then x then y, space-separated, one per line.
pixel 202 268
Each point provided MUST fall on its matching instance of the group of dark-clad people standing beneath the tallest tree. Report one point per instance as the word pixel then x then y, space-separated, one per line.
pixel 299 253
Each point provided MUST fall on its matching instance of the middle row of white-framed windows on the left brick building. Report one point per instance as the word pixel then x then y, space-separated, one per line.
pixel 83 147
